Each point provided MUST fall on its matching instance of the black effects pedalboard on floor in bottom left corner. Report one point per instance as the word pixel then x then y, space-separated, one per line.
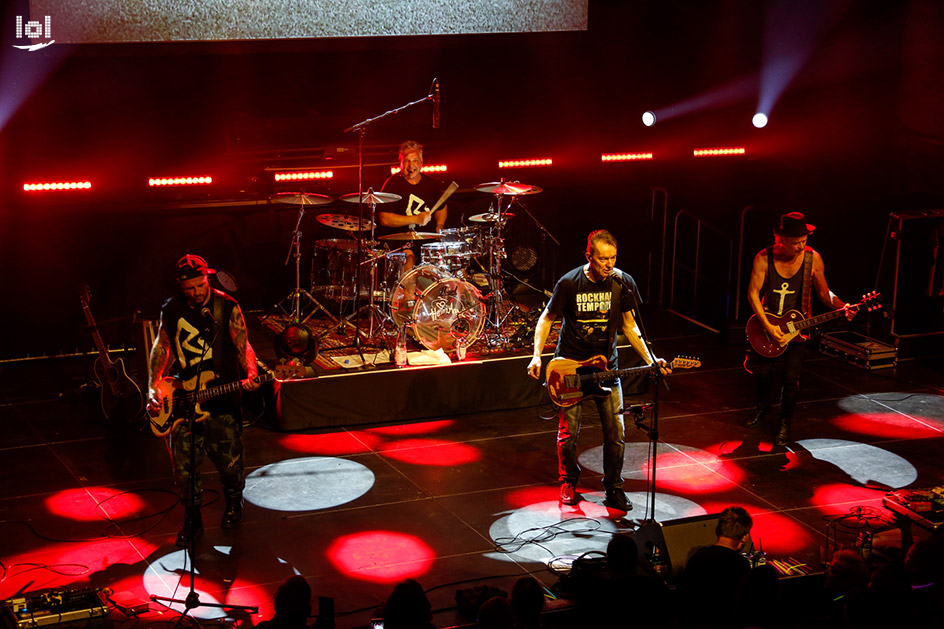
pixel 39 609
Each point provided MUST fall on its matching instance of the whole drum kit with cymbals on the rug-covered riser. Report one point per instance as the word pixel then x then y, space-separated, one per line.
pixel 452 298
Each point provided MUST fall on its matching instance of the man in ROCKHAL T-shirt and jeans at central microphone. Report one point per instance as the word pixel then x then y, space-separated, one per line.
pixel 596 301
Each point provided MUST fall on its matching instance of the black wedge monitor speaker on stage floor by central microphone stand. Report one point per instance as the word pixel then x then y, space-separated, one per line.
pixel 677 539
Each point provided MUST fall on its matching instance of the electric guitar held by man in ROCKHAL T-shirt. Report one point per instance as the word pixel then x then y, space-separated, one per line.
pixel 569 381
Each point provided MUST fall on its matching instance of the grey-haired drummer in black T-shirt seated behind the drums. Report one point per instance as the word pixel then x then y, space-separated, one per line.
pixel 418 193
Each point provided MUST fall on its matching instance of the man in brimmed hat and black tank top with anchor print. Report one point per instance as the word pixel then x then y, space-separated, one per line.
pixel 783 278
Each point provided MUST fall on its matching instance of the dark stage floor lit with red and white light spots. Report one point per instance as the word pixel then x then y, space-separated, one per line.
pixel 453 501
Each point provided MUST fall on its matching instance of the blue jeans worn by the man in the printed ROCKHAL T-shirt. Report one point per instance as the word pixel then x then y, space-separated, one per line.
pixel 568 430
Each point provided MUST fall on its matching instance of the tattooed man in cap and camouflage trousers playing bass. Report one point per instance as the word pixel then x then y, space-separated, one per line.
pixel 204 330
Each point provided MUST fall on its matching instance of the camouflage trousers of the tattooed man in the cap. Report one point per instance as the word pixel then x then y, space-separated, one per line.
pixel 220 438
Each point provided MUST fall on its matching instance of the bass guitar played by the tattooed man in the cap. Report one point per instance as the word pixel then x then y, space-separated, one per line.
pixel 180 399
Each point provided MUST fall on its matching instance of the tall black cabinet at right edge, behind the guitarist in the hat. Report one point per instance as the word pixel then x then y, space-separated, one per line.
pixel 918 292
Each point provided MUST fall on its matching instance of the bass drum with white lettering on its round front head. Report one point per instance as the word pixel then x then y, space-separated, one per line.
pixel 444 309
